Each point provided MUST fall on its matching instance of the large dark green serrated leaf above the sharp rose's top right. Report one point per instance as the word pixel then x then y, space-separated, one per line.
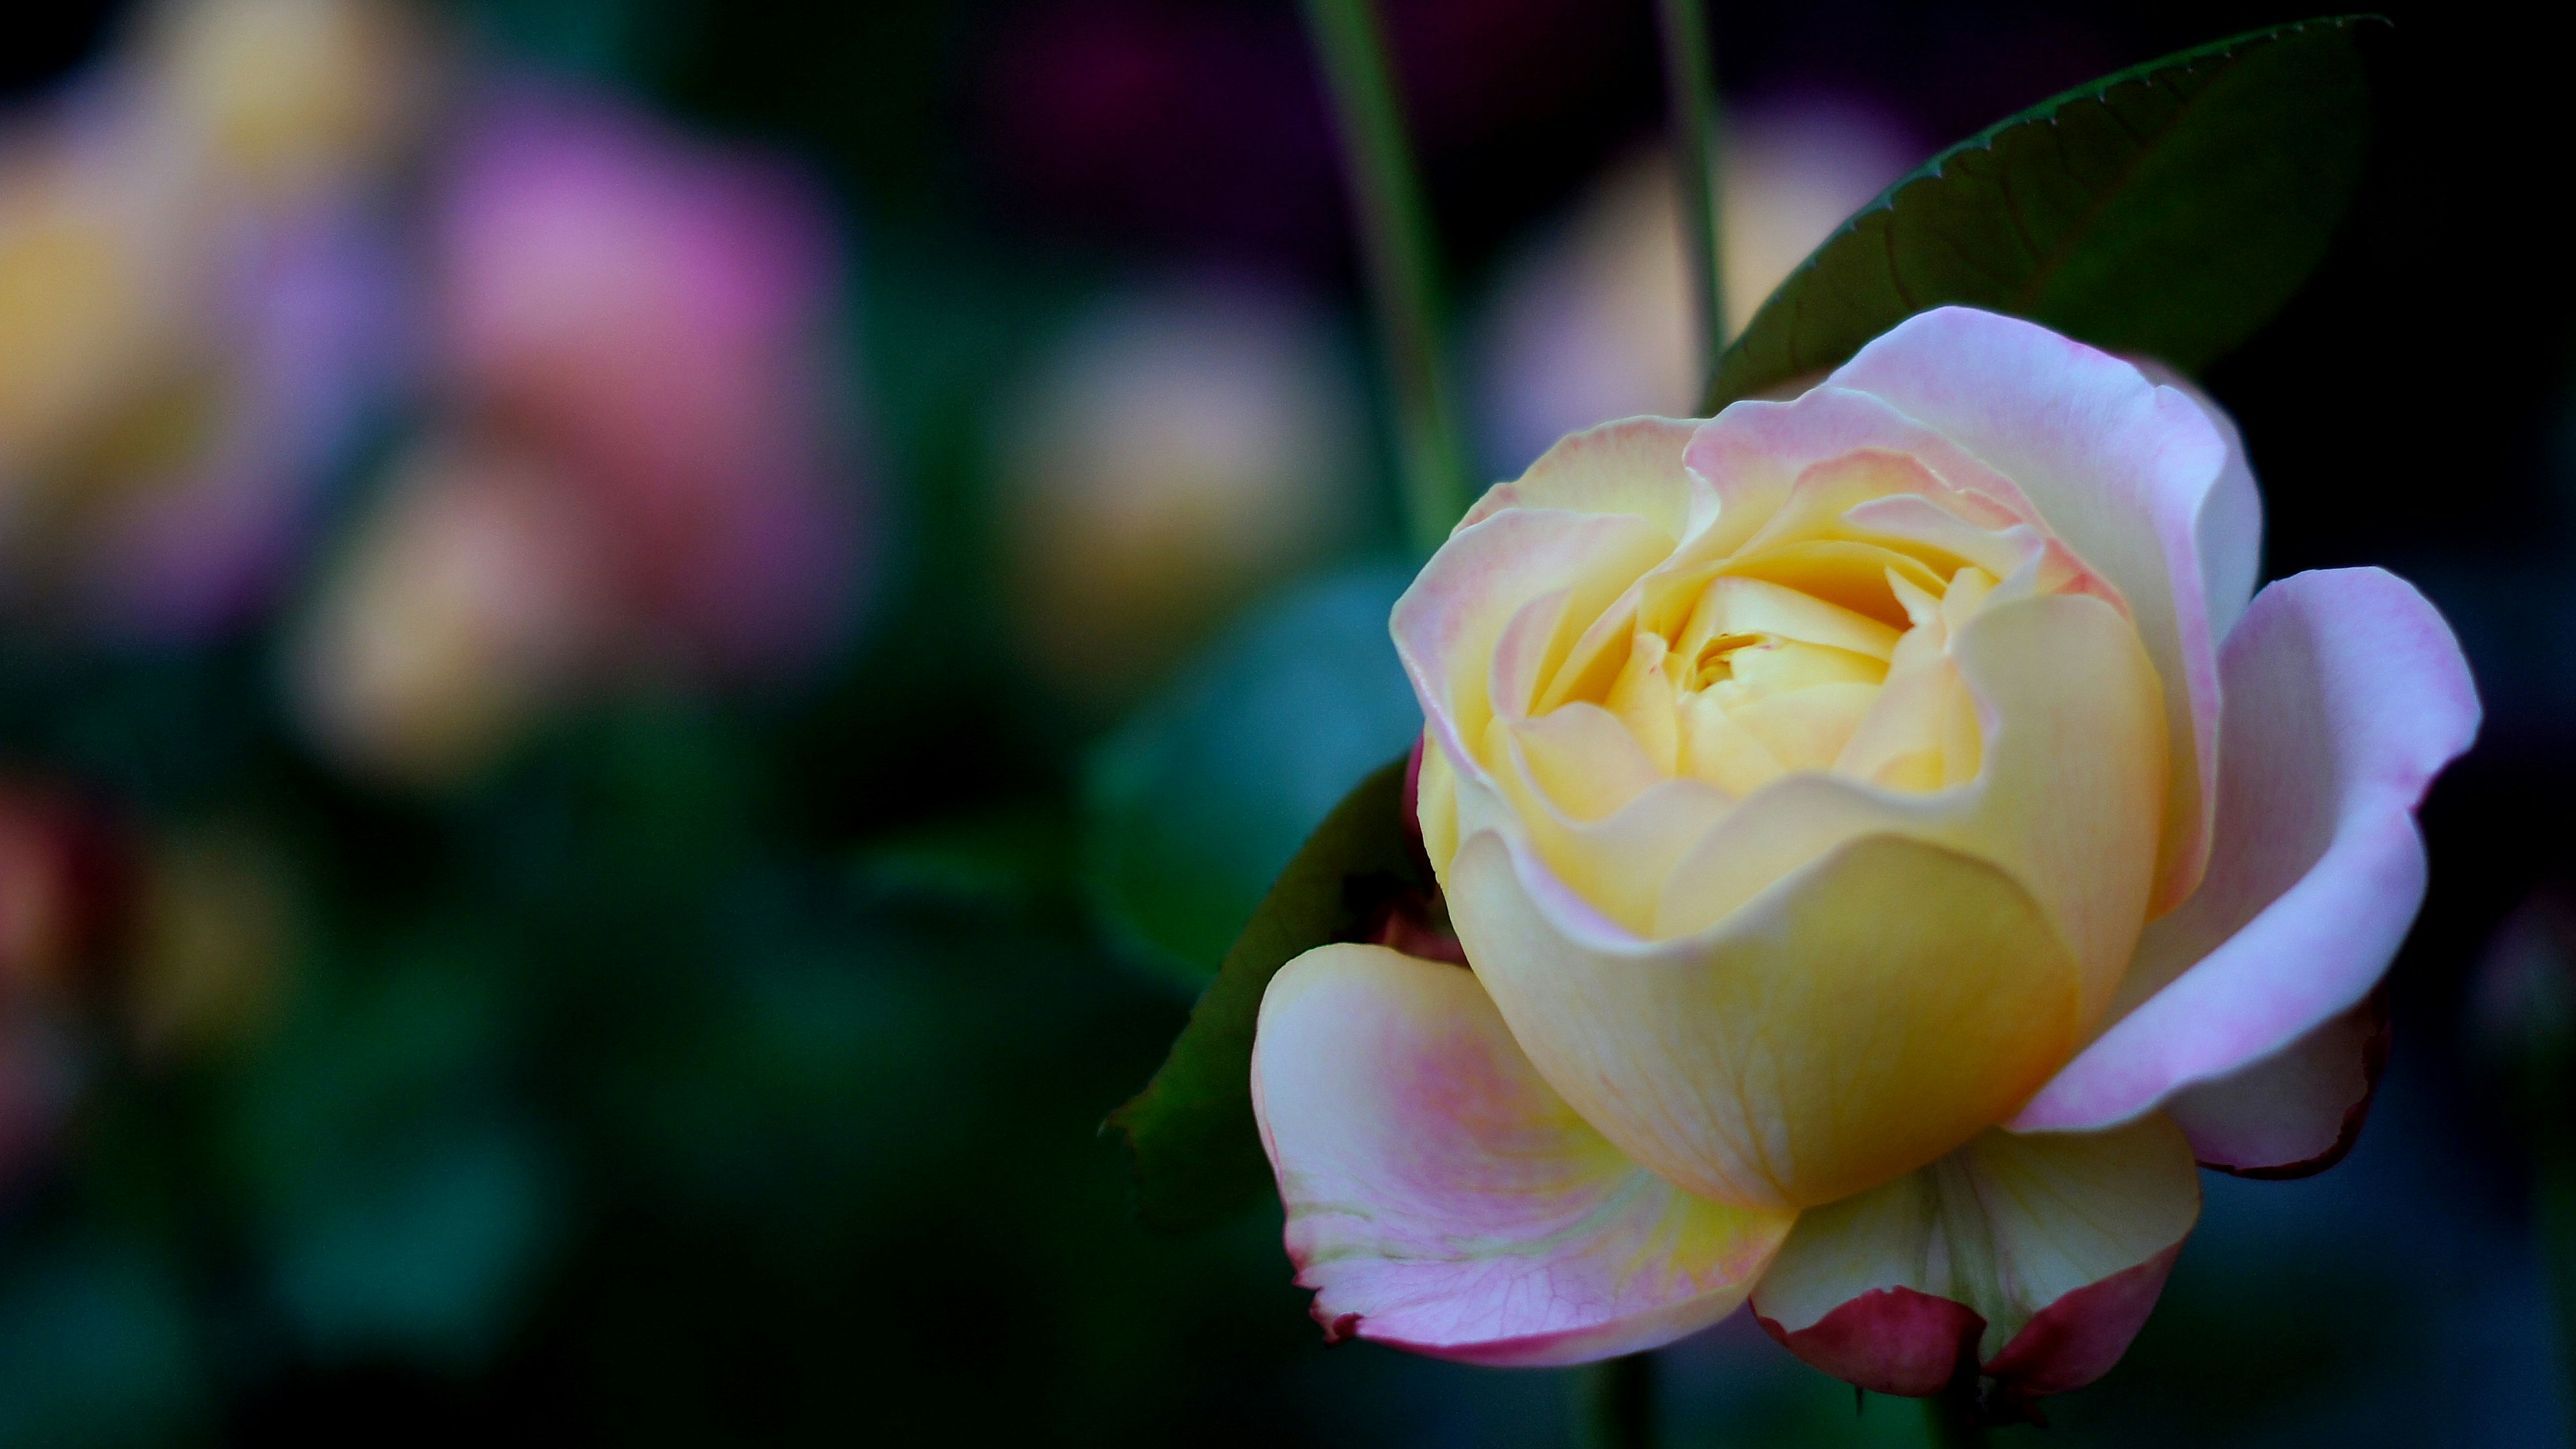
pixel 2168 210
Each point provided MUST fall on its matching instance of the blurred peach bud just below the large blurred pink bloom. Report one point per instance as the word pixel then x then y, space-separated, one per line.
pixel 470 605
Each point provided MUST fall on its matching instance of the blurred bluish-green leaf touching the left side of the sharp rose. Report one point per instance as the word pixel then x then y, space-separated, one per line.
pixel 1199 803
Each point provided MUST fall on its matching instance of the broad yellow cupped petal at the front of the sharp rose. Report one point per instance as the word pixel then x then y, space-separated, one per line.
pixel 1859 1020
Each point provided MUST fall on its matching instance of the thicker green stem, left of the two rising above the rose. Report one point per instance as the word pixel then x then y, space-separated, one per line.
pixel 1403 262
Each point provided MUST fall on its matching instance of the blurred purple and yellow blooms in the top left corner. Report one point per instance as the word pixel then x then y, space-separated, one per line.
pixel 197 308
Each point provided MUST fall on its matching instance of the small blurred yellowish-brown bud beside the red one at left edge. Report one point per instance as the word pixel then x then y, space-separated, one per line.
pixel 215 935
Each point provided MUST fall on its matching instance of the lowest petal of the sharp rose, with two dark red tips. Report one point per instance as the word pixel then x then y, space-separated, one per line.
pixel 2039 1257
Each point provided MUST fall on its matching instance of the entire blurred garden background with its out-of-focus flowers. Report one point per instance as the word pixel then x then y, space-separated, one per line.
pixel 648 651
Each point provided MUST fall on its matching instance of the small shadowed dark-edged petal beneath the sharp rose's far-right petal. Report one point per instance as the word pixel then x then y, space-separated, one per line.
pixel 2299 1110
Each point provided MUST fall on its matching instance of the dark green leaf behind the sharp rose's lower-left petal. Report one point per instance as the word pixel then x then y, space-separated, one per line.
pixel 1199 1156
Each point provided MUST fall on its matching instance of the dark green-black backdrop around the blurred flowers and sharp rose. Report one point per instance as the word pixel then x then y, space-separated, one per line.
pixel 790 1022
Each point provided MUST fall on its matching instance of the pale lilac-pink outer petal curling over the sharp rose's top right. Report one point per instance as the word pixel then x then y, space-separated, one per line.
pixel 2129 473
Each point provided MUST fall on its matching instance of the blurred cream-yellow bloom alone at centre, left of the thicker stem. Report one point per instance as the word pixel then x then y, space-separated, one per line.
pixel 1173 455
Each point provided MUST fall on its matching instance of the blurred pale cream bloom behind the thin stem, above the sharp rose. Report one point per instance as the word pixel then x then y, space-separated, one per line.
pixel 1593 324
